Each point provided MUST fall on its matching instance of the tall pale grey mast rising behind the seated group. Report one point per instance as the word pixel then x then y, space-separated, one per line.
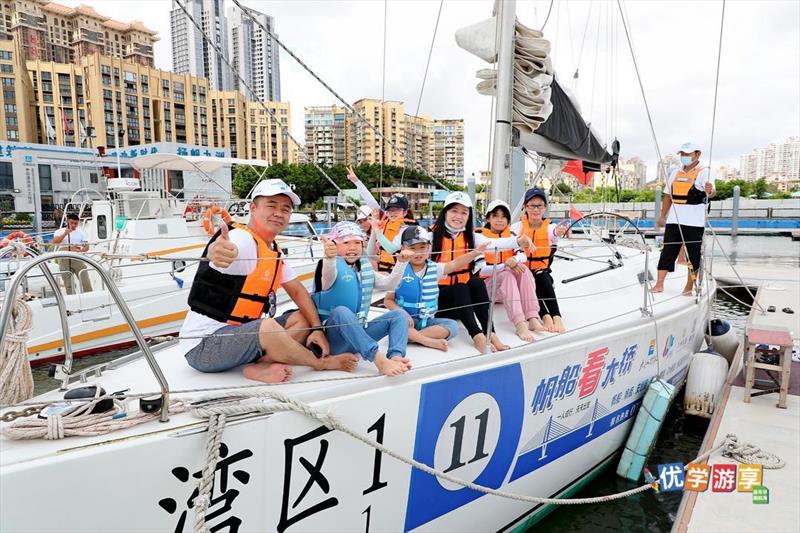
pixel 501 160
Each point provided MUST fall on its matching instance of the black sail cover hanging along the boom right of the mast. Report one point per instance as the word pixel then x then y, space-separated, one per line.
pixel 568 135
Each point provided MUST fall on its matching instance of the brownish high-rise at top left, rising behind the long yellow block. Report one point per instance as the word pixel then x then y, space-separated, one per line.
pixel 47 31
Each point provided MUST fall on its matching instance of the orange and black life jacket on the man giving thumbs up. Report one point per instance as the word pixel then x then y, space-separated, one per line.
pixel 237 299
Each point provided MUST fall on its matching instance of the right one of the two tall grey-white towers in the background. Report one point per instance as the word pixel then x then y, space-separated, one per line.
pixel 254 54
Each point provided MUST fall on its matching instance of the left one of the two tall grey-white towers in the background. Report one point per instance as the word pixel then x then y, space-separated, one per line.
pixel 191 52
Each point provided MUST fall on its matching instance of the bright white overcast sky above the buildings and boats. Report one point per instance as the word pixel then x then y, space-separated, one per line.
pixel 676 45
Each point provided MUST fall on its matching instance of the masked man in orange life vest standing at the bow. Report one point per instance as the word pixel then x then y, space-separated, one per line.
pixel 683 210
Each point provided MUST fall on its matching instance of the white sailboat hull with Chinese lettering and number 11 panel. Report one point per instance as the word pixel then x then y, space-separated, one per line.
pixel 527 421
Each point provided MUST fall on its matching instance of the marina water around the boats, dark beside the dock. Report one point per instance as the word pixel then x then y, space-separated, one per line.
pixel 678 442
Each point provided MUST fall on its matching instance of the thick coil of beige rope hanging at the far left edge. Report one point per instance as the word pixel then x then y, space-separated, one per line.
pixel 16 380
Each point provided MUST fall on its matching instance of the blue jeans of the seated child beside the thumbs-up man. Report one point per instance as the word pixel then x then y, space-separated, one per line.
pixel 345 334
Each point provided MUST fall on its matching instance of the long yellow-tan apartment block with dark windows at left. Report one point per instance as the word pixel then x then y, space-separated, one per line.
pixel 105 101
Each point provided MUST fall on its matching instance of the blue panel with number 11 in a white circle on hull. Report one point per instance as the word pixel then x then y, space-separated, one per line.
pixel 479 445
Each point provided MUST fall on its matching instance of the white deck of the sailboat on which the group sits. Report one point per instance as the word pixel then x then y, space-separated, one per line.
pixel 582 306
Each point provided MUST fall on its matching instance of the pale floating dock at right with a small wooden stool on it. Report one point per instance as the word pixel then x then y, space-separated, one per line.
pixel 760 423
